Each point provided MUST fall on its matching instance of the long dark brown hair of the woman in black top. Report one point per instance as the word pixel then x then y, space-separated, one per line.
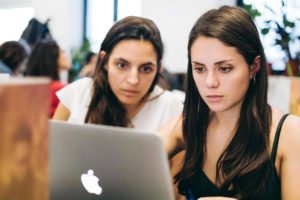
pixel 244 164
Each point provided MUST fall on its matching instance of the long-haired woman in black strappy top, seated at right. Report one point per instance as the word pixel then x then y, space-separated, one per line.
pixel 228 130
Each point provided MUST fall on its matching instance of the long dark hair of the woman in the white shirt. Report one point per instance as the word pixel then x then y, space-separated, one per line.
pixel 105 108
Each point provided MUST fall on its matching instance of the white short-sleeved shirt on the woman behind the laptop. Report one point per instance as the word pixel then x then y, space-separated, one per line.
pixel 154 114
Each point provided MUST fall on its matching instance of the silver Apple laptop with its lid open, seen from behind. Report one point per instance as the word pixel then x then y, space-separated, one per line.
pixel 104 162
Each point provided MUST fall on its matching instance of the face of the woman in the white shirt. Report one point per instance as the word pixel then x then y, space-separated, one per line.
pixel 131 69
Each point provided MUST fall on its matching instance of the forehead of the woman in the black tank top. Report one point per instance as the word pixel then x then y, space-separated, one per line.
pixel 208 48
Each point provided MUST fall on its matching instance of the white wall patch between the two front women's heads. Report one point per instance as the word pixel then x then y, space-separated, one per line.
pixel 175 19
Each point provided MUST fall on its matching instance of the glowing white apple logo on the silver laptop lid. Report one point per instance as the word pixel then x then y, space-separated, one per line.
pixel 90 182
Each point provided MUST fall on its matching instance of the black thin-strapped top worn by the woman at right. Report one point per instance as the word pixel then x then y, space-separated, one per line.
pixel 201 186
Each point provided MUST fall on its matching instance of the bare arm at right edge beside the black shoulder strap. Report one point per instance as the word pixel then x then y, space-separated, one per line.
pixel 290 163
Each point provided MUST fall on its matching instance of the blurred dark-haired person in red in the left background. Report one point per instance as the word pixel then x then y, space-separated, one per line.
pixel 48 59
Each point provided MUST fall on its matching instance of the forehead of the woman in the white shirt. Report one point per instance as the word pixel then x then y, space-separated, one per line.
pixel 134 50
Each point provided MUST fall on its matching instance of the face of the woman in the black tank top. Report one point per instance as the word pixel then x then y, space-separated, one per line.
pixel 221 74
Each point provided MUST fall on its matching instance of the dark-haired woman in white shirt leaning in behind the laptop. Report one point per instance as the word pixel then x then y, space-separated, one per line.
pixel 123 91
